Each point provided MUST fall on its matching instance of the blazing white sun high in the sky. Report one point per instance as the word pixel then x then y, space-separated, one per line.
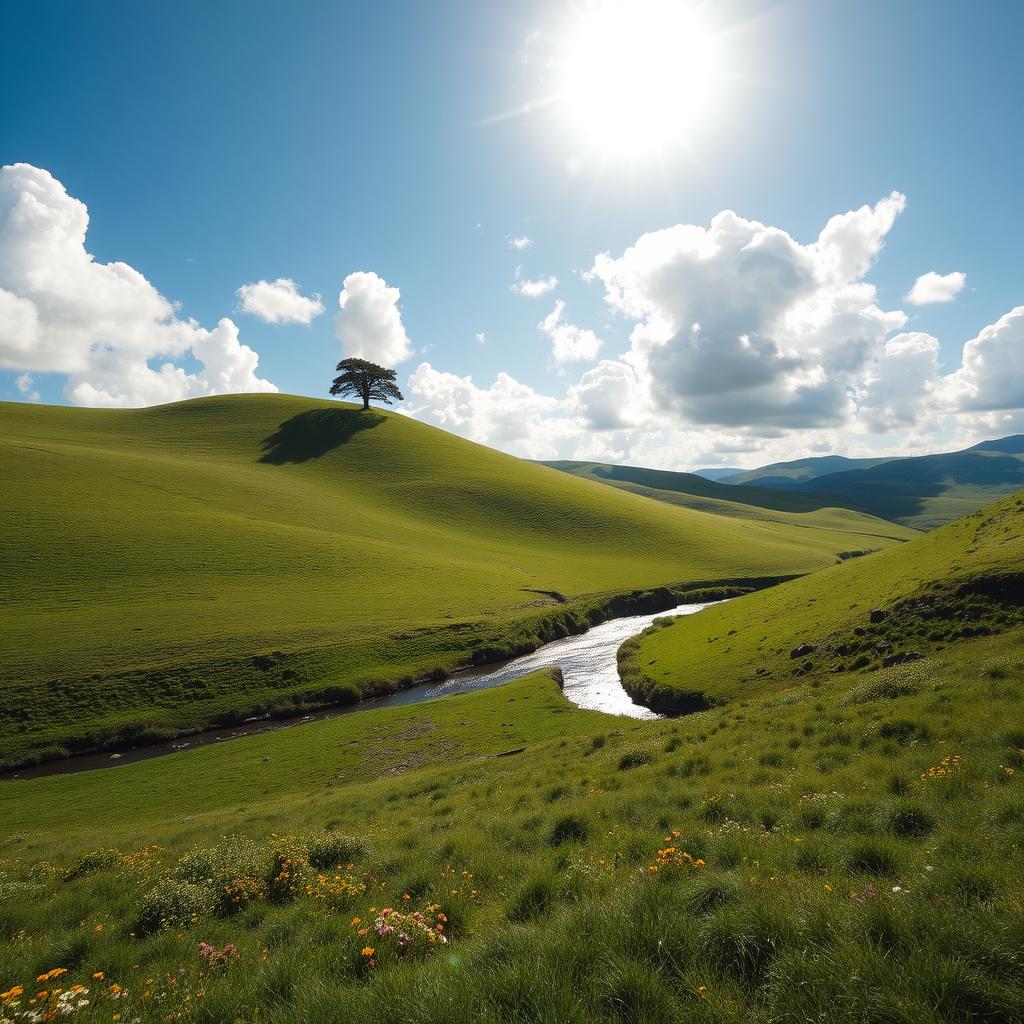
pixel 637 77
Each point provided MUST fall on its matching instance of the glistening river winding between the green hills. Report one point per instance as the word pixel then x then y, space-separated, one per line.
pixel 590 677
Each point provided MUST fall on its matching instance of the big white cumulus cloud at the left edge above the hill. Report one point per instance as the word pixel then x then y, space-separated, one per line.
pixel 101 324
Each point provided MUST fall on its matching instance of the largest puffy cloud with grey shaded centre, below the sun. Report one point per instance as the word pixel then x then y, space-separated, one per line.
pixel 740 325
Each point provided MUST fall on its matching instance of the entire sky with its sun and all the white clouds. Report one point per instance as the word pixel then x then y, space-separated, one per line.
pixel 665 234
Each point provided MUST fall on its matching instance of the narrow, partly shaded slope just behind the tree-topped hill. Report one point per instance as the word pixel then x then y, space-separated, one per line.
pixel 762 504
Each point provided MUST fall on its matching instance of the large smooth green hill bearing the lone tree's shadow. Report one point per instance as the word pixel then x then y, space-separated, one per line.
pixel 168 568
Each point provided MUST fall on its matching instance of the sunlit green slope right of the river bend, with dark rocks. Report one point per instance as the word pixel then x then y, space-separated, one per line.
pixel 964 580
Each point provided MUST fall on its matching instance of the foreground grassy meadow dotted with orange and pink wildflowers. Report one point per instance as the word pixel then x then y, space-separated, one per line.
pixel 835 854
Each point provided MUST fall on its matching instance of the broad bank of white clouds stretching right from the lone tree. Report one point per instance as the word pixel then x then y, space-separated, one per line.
pixel 744 340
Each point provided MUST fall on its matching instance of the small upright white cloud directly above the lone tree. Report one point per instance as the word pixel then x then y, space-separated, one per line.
pixel 369 322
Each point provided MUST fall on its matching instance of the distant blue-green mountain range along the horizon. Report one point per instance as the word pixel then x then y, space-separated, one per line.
pixel 923 492
